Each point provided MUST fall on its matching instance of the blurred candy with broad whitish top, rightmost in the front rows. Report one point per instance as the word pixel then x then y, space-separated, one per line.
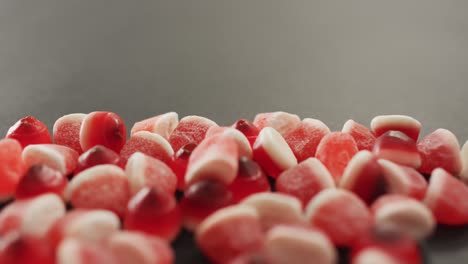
pixel 405 215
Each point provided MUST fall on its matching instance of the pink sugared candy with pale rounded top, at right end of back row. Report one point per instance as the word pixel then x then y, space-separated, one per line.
pixel 440 149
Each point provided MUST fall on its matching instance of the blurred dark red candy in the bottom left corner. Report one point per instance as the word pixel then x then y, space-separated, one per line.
pixel 16 249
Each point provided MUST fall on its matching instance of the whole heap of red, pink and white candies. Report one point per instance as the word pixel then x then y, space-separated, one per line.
pixel 86 194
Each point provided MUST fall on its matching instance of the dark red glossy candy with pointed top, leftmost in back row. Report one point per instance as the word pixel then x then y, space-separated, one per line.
pixel 29 130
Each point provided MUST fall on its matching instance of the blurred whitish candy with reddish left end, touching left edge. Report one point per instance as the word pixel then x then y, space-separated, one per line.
pixel 32 217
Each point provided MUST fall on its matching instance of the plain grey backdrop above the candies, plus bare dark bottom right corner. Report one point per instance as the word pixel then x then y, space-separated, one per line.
pixel 331 60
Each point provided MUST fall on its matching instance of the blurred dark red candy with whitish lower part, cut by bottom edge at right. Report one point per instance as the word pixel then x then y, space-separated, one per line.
pixel 385 246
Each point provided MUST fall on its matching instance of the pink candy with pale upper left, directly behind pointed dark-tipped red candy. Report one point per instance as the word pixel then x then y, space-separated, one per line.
pixel 145 171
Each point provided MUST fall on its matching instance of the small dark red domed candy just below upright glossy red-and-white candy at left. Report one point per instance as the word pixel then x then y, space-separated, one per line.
pixel 97 155
